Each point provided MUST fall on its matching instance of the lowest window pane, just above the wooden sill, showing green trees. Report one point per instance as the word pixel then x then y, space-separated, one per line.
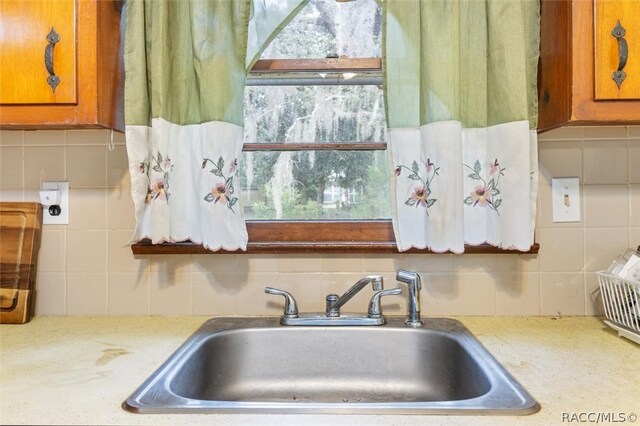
pixel 315 185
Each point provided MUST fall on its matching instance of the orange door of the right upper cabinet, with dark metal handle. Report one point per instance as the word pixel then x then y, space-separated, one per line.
pixel 617 49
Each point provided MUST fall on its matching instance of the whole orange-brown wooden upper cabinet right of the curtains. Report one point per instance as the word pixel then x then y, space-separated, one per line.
pixel 578 56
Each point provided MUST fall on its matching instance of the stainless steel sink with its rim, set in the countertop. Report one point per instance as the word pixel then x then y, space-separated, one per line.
pixel 254 365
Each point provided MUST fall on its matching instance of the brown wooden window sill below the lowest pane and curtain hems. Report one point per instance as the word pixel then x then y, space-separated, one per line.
pixel 293 237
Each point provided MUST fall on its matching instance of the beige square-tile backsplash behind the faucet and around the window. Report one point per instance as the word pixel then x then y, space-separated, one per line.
pixel 86 268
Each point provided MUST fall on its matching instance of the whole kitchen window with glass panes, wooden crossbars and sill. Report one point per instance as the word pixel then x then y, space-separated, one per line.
pixel 314 174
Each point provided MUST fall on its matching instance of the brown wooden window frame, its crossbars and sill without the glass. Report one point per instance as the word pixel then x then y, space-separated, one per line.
pixel 314 236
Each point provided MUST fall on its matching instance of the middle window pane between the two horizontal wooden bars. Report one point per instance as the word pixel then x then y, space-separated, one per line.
pixel 323 114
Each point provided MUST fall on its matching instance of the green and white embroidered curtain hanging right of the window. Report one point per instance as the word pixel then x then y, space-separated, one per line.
pixel 460 87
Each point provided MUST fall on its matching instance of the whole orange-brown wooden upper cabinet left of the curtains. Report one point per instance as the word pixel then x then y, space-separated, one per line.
pixel 72 45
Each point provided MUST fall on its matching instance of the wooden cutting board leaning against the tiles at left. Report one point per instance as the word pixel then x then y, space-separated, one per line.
pixel 20 231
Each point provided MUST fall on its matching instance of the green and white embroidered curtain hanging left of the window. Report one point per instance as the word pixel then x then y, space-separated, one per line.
pixel 185 77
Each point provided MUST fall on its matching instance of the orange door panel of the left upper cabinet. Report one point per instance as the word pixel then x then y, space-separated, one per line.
pixel 24 27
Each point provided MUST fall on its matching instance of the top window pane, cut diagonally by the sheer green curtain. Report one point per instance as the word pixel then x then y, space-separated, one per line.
pixel 327 27
